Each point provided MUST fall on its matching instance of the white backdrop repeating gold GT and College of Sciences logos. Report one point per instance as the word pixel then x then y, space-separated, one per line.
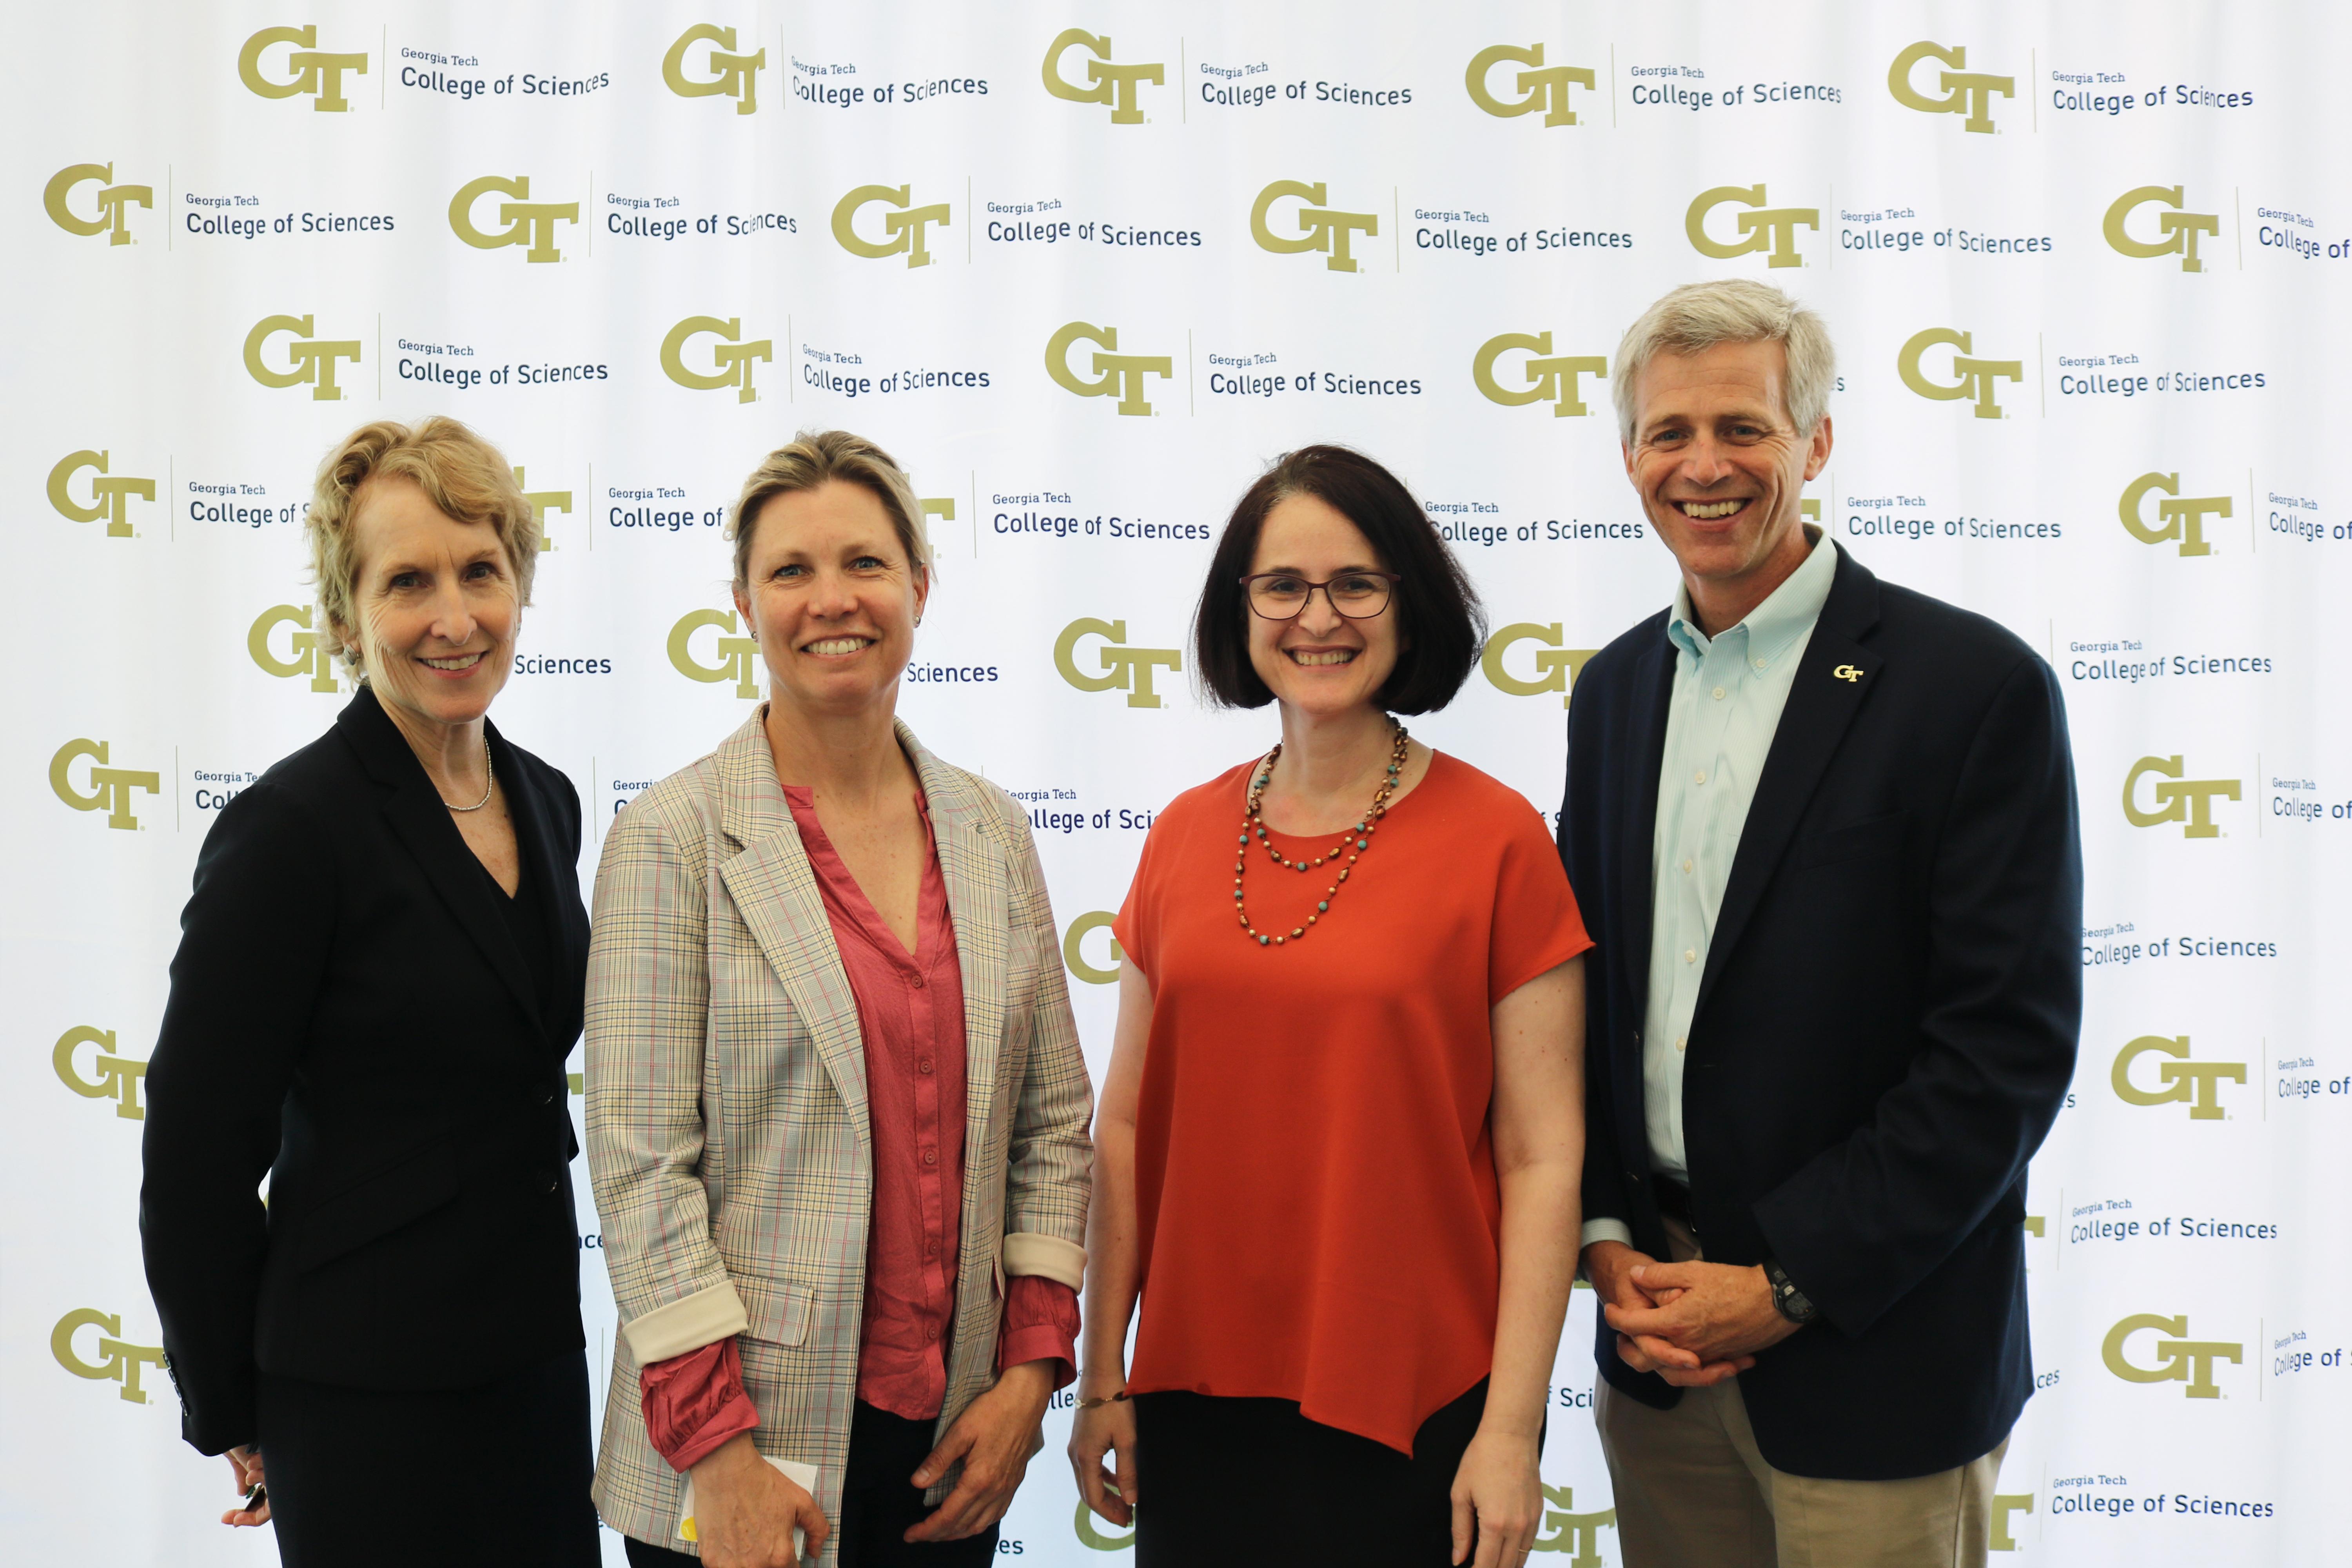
pixel 1085 269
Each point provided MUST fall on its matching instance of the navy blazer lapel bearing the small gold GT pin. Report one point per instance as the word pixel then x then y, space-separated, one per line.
pixel 1831 685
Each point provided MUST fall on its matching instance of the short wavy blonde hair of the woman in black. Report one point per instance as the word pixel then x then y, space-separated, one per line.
pixel 462 476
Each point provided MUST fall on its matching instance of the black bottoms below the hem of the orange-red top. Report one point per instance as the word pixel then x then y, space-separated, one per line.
pixel 1248 1482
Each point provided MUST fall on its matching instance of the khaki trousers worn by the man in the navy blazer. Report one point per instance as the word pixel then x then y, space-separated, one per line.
pixel 1692 1492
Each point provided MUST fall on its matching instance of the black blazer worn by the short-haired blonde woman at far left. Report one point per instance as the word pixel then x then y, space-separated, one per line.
pixel 354 1019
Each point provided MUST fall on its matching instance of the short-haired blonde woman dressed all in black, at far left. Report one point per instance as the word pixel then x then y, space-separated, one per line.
pixel 377 986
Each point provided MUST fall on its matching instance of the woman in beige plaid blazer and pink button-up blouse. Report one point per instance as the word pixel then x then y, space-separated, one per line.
pixel 836 1101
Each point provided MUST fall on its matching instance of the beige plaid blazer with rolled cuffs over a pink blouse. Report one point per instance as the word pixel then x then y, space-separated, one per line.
pixel 728 1127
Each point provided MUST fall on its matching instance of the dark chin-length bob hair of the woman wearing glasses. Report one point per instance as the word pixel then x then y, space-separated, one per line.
pixel 1441 624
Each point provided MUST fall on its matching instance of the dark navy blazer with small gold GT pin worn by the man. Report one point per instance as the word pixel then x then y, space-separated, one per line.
pixel 1885 1024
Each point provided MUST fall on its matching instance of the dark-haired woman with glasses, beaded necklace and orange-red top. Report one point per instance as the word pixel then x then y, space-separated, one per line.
pixel 1342 1137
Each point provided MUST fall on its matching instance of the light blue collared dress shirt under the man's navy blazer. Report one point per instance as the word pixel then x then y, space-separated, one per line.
pixel 1720 723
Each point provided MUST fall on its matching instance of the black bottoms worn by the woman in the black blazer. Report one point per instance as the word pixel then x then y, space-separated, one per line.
pixel 359 1477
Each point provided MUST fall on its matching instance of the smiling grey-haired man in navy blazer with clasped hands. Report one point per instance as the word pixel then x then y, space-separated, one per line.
pixel 1824 833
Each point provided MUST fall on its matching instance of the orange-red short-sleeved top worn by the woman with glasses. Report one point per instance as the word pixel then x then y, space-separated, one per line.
pixel 1314 1165
